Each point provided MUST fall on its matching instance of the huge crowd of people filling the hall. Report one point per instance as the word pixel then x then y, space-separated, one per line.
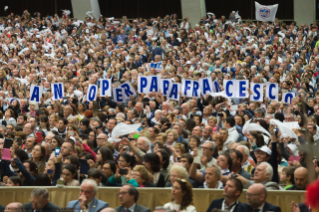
pixel 190 143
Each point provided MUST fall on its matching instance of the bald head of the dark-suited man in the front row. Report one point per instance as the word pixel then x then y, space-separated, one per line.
pixel 256 195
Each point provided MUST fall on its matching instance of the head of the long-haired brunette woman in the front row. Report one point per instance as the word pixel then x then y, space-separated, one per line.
pixel 182 191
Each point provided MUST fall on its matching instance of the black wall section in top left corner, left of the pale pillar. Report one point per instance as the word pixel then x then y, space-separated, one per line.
pixel 45 7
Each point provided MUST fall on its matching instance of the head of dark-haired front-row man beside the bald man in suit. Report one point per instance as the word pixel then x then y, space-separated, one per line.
pixel 233 188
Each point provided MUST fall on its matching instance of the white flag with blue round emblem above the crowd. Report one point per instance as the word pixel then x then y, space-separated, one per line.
pixel 266 13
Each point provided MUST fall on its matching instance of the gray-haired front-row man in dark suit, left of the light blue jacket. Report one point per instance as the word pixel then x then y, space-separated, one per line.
pixel 39 201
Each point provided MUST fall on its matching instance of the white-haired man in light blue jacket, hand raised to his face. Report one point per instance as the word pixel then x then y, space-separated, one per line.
pixel 87 201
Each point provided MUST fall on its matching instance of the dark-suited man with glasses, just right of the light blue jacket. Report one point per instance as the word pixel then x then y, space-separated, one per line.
pixel 128 196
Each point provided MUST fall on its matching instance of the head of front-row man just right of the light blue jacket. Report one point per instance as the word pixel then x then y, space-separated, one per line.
pixel 128 195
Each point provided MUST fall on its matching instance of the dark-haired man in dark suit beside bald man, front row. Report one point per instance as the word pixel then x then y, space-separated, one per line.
pixel 232 190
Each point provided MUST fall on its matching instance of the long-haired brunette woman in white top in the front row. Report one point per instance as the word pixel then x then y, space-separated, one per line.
pixel 182 197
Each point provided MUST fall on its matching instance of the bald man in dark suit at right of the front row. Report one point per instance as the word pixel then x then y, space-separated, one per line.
pixel 256 200
